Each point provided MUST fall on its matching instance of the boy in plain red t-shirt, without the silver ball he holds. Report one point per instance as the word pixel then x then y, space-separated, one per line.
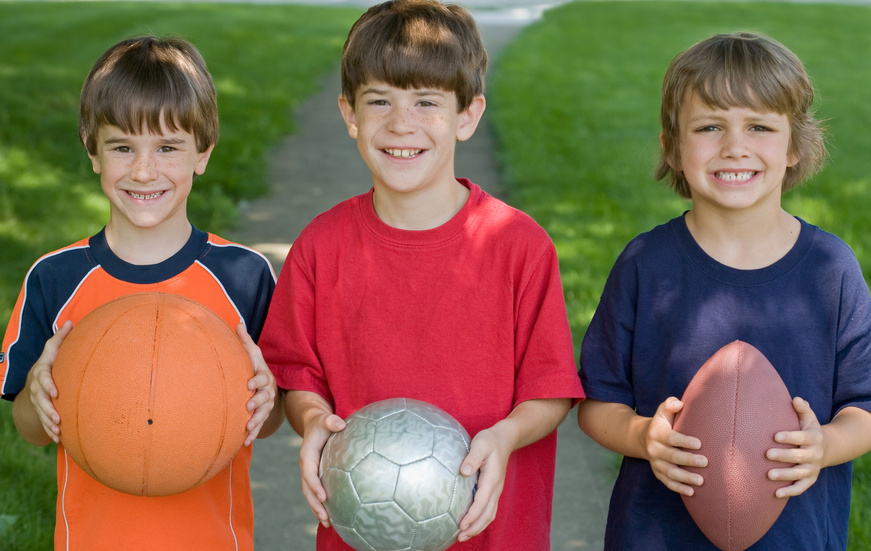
pixel 427 287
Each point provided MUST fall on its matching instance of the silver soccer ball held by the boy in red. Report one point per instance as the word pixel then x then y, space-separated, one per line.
pixel 393 478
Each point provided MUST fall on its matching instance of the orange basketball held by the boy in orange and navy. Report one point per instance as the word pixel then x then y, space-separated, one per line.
pixel 152 392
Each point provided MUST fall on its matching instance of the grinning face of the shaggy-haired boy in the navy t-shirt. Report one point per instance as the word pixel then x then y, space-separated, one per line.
pixel 733 158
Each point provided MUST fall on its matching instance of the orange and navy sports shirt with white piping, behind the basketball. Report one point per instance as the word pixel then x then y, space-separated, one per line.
pixel 233 281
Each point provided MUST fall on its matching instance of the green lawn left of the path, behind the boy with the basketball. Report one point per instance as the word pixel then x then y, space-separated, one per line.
pixel 264 60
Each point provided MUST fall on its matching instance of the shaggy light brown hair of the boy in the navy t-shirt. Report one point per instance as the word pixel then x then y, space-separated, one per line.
pixel 741 70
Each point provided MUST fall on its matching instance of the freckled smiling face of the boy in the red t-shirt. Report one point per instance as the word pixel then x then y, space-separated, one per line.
pixel 407 137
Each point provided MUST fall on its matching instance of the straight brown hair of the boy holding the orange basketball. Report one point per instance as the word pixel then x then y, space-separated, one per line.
pixel 137 80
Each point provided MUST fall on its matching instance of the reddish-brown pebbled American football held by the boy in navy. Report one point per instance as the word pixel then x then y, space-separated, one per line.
pixel 734 405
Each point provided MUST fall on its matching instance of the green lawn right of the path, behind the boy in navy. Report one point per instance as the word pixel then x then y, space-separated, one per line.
pixel 576 104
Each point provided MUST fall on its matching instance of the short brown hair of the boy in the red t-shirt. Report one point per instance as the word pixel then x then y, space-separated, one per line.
pixel 416 44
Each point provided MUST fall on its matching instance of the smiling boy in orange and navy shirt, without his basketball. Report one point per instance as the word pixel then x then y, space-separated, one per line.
pixel 149 122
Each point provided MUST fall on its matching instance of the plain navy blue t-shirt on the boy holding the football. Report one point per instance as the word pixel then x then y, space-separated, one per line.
pixel 667 307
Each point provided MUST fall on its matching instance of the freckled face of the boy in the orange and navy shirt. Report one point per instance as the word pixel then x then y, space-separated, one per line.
pixel 147 177
